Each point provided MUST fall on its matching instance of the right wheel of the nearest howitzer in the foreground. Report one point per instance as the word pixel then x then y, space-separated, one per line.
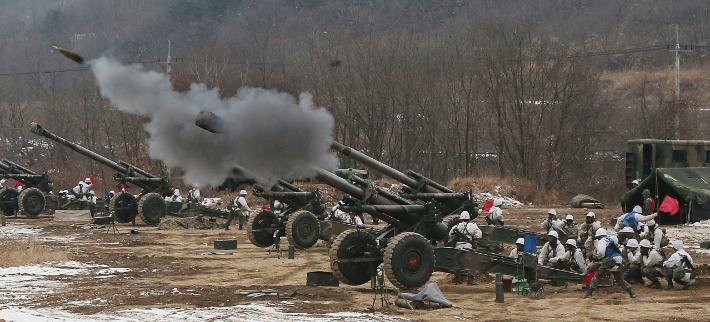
pixel 409 260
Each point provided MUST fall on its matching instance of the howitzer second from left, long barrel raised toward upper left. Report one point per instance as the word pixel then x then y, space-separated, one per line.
pixel 149 206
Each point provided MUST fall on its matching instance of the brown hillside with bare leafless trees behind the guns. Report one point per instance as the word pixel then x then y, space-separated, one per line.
pixel 544 90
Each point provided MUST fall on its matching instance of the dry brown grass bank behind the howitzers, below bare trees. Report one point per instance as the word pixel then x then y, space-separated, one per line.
pixel 514 187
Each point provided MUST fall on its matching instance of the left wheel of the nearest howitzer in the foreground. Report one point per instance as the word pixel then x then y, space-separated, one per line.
pixel 352 243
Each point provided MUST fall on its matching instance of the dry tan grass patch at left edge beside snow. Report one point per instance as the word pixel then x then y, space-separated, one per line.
pixel 19 253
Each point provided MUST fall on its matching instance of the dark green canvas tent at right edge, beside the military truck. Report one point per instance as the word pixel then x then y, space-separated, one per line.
pixel 690 186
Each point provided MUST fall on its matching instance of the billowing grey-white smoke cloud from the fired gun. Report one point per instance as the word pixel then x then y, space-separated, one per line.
pixel 268 134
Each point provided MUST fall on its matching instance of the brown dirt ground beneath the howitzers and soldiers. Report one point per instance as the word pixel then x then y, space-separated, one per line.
pixel 182 269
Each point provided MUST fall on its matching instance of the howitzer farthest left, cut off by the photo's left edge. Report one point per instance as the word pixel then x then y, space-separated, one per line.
pixel 31 200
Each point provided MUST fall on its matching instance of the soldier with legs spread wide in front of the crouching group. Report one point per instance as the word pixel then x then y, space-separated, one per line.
pixel 608 260
